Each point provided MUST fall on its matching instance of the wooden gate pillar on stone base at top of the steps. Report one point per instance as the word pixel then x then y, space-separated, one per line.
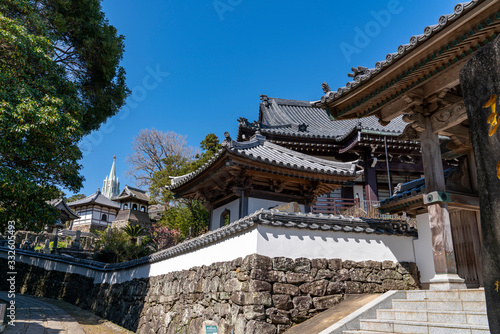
pixel 439 217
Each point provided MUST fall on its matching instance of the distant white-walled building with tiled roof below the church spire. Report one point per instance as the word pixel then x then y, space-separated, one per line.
pixel 96 212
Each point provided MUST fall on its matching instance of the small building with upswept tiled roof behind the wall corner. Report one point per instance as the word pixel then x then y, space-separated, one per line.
pixel 247 176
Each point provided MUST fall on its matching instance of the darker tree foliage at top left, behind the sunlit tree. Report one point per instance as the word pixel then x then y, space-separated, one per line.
pixel 87 47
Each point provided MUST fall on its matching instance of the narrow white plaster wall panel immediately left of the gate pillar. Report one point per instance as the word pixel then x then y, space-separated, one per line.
pixel 423 249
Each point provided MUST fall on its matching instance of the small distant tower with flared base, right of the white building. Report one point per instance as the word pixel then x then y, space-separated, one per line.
pixel 134 205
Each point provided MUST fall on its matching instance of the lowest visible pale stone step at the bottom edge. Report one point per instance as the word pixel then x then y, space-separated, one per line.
pixel 414 327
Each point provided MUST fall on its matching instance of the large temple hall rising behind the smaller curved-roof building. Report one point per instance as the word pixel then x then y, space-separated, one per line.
pixel 301 127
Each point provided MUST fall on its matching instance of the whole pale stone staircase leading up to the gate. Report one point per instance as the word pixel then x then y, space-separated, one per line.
pixel 431 312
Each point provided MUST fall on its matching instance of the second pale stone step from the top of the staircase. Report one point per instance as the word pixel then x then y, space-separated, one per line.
pixel 451 305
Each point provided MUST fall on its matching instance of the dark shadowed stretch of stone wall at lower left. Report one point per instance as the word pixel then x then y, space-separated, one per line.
pixel 119 303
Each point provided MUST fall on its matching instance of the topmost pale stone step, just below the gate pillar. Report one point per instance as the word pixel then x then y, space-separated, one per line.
pixel 471 295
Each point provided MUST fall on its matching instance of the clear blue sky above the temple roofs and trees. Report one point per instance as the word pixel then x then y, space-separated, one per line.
pixel 195 67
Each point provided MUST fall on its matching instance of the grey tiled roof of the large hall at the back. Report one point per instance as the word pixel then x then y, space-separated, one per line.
pixel 300 119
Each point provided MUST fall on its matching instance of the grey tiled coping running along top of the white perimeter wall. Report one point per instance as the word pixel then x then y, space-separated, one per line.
pixel 341 224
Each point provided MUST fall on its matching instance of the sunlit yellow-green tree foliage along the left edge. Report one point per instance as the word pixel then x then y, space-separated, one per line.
pixel 39 126
